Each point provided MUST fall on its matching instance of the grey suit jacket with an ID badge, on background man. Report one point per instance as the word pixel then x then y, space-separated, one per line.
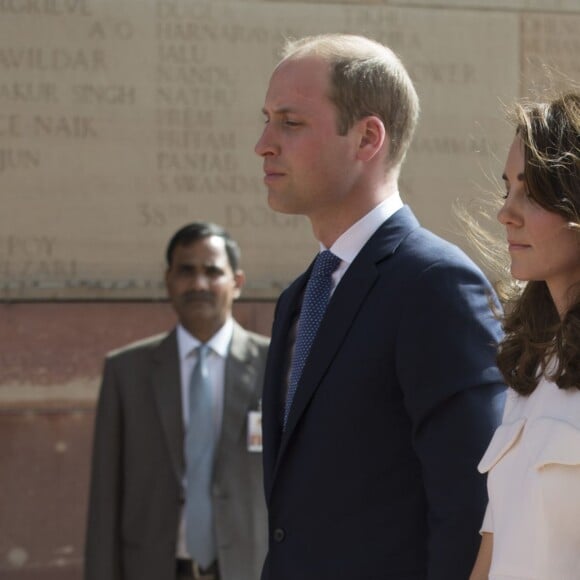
pixel 138 465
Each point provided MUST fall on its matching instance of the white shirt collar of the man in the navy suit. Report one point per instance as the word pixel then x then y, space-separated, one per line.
pixel 351 242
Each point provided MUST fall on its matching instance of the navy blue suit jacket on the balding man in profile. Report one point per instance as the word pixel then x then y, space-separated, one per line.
pixel 375 475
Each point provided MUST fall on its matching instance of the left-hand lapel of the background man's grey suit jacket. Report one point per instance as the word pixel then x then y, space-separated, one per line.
pixel 166 383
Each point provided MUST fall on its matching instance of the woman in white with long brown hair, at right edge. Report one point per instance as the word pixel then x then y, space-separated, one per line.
pixel 532 525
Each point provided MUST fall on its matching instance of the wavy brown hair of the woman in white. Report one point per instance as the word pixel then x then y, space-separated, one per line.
pixel 535 333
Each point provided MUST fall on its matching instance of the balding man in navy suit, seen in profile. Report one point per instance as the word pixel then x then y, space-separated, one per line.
pixel 370 455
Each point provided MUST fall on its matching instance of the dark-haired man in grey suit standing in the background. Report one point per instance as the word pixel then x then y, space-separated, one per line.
pixel 139 524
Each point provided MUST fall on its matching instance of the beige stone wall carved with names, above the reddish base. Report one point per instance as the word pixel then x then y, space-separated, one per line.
pixel 122 120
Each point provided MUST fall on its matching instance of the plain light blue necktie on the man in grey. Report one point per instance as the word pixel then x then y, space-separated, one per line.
pixel 199 450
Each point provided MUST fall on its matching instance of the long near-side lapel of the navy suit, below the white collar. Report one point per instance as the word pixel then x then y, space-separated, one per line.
pixel 348 298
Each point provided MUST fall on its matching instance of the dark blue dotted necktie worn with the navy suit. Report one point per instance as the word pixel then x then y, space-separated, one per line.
pixel 314 304
